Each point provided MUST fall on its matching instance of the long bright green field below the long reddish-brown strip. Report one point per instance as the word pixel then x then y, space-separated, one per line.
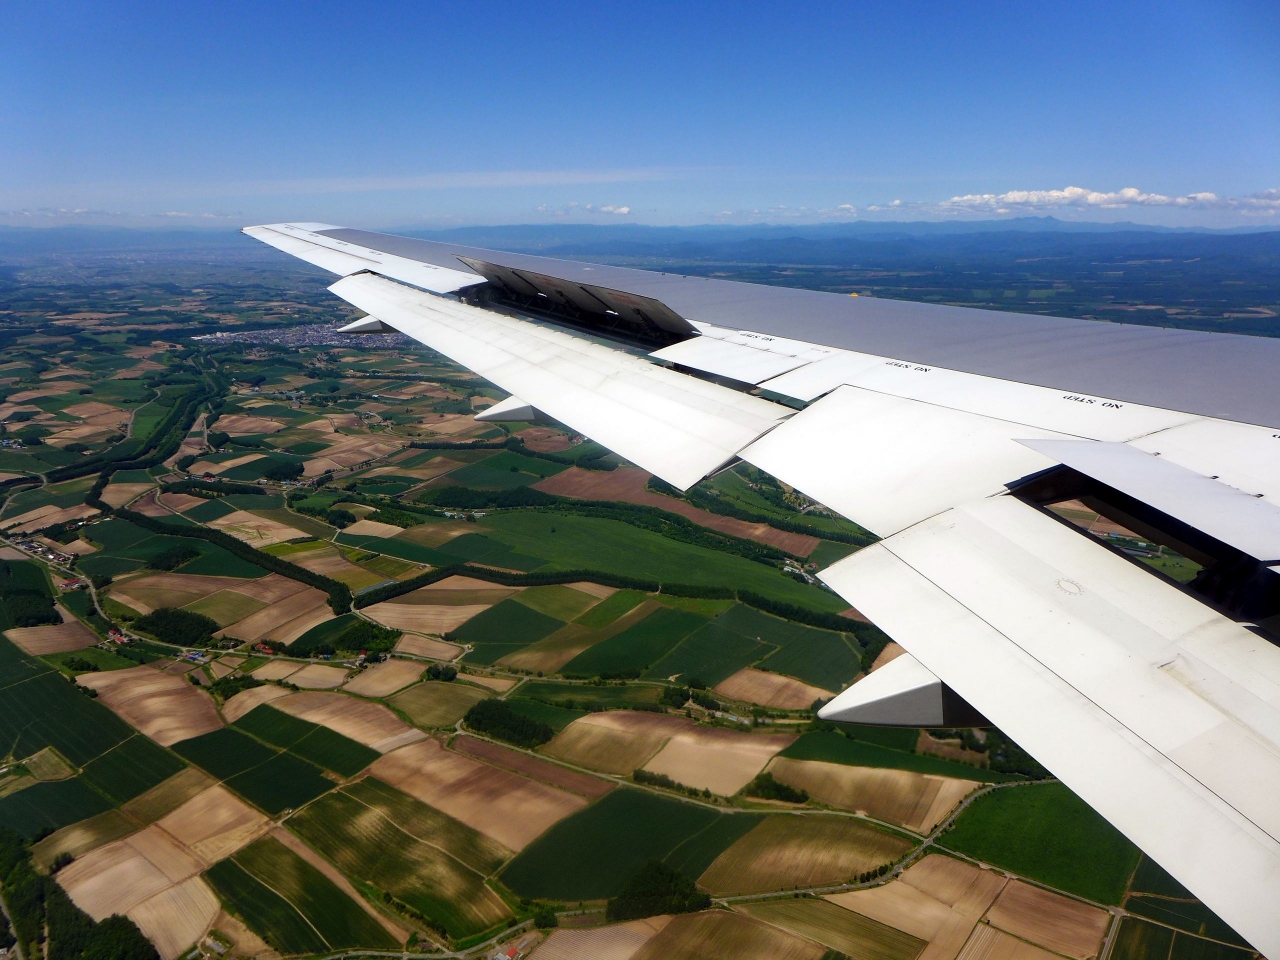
pixel 615 547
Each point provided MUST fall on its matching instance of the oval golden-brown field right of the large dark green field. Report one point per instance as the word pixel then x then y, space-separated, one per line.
pixel 789 851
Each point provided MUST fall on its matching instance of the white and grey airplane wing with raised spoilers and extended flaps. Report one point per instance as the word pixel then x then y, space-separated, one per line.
pixel 949 433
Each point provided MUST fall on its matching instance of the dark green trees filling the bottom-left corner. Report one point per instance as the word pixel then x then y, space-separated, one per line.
pixel 47 922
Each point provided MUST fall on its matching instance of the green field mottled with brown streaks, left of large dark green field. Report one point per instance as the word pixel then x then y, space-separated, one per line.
pixel 365 842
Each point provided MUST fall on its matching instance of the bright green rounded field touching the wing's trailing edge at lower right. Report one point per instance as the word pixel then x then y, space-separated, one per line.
pixel 1044 831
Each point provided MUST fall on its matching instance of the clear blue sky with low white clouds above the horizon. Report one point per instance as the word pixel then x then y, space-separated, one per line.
pixel 438 115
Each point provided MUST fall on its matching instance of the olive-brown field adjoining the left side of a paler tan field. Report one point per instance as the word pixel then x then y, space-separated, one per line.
pixel 619 742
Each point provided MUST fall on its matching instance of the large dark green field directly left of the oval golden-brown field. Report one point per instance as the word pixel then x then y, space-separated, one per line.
pixel 566 863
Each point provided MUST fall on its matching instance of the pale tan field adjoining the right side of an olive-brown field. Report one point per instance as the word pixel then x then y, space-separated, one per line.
pixel 721 761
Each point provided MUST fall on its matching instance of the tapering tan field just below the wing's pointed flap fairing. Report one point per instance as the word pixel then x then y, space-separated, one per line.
pixel 918 802
